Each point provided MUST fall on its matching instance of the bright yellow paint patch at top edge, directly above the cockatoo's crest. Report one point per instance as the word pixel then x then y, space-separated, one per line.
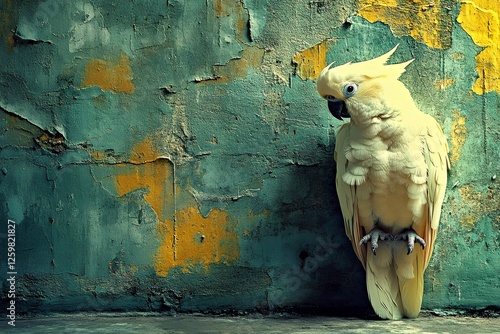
pixel 425 21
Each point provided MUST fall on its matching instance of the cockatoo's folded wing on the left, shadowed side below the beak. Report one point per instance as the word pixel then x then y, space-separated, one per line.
pixel 347 195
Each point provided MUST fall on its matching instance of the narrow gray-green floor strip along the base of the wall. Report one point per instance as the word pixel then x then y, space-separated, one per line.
pixel 85 323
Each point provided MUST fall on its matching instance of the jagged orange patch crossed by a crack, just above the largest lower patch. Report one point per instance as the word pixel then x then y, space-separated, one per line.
pixel 148 172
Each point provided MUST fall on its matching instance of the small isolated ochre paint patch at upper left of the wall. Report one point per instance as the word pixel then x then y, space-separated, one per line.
pixel 113 76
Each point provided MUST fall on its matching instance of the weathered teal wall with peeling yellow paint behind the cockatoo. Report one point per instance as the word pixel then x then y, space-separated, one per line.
pixel 174 155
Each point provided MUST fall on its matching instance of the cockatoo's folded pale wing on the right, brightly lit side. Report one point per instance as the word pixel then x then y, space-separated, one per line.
pixel 435 150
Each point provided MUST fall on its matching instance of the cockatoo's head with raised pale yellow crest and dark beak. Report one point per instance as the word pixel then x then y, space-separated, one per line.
pixel 364 90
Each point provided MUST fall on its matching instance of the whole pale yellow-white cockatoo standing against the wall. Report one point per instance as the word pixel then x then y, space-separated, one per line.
pixel 392 162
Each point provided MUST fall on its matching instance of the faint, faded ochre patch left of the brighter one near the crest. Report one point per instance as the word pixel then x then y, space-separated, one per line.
pixel 238 68
